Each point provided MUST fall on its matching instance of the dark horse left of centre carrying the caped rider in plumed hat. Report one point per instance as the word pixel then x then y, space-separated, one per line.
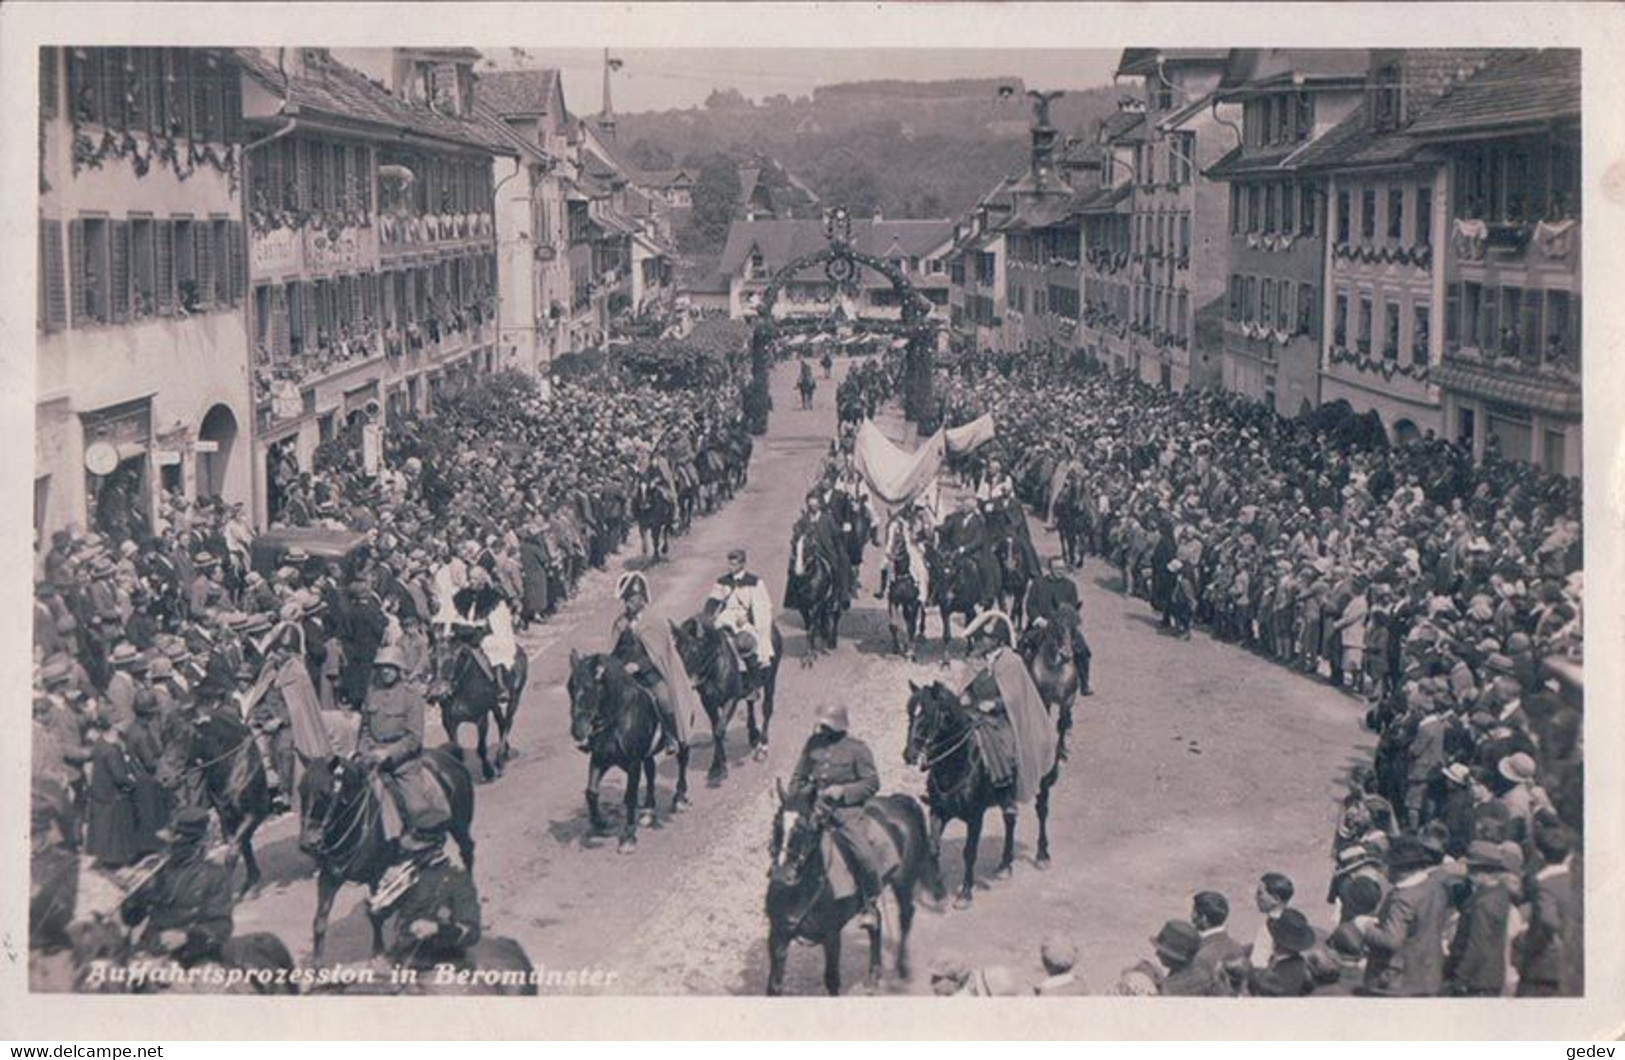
pixel 617 724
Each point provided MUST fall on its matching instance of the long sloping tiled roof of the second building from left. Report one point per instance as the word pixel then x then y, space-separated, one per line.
pixel 347 93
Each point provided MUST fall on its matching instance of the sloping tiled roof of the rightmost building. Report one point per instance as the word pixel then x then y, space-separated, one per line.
pixel 1522 89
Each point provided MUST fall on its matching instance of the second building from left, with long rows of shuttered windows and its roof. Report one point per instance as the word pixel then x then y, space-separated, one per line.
pixel 373 248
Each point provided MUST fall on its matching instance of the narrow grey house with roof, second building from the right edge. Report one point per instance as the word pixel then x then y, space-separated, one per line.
pixel 1273 329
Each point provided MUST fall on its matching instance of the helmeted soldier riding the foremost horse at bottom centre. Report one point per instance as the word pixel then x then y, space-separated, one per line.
pixel 838 778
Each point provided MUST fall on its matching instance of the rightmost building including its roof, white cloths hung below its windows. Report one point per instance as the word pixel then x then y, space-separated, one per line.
pixel 1510 371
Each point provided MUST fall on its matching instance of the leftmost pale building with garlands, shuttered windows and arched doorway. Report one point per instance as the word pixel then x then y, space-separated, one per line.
pixel 142 349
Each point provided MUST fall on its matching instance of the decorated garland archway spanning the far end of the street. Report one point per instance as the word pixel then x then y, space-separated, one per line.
pixel 843 264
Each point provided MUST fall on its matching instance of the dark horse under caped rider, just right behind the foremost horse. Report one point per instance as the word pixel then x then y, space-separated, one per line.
pixel 960 788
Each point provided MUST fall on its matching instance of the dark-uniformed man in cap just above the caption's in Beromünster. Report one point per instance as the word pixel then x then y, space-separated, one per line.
pixel 431 905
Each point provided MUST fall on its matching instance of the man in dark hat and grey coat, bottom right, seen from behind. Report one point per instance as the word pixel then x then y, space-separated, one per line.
pixel 1406 942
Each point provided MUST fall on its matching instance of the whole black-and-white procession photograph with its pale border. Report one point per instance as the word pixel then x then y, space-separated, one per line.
pixel 581 519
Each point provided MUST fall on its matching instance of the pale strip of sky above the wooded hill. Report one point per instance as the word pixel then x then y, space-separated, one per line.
pixel 665 79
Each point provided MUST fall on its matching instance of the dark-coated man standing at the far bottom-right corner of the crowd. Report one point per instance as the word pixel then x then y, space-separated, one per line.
pixel 1553 960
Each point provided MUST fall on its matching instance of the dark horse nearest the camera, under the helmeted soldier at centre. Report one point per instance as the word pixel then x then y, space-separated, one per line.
pixel 799 897
